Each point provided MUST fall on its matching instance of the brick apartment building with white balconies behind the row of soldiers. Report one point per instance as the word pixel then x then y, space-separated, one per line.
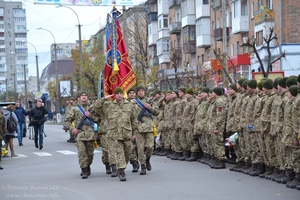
pixel 204 30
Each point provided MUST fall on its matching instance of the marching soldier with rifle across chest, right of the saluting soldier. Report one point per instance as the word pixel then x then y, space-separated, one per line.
pixel 144 136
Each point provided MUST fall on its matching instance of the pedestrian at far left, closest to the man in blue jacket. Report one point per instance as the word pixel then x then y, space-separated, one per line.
pixel 10 135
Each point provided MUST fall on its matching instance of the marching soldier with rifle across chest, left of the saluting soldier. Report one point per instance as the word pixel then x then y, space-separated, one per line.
pixel 85 136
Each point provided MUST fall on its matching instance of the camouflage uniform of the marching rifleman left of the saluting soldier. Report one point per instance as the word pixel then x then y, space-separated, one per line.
pixel 85 137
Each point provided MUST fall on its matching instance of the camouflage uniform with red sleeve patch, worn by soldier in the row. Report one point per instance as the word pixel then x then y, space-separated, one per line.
pixel 216 121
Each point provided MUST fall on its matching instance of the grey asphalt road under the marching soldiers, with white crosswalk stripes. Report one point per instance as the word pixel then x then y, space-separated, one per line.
pixel 53 173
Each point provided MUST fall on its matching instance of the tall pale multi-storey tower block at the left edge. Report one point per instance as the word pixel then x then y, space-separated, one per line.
pixel 13 46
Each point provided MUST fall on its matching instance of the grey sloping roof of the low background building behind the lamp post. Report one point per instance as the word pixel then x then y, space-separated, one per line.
pixel 64 67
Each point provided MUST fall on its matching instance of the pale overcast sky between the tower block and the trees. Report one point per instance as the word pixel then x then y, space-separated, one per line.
pixel 62 23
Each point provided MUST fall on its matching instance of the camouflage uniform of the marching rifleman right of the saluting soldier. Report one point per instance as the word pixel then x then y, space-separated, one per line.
pixel 144 136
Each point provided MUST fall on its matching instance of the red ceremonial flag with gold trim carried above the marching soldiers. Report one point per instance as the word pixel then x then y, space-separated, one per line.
pixel 123 78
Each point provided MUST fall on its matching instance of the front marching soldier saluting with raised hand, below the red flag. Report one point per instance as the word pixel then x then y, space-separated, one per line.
pixel 122 123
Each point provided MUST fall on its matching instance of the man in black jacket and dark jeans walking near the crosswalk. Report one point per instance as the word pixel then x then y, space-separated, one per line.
pixel 38 118
